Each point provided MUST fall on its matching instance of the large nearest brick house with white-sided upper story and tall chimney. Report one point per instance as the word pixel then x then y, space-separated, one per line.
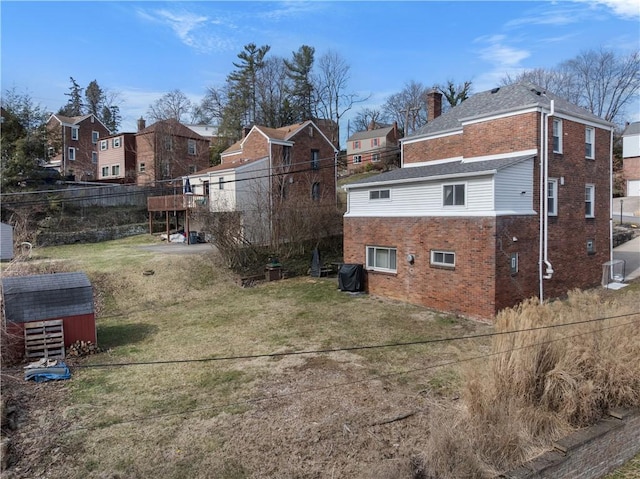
pixel 461 227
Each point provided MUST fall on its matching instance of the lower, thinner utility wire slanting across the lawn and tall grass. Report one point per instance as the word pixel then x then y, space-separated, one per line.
pixel 343 384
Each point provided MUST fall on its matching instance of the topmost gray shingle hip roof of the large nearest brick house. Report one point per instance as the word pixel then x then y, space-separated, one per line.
pixel 504 99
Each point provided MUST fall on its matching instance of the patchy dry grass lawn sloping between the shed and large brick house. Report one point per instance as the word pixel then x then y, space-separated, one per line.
pixel 191 382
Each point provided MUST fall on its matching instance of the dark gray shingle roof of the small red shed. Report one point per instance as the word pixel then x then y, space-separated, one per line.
pixel 46 296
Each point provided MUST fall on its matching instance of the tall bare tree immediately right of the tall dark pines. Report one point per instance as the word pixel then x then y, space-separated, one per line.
pixel 331 80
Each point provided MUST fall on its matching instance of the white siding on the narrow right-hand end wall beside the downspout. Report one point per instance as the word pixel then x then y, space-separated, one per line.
pixel 510 183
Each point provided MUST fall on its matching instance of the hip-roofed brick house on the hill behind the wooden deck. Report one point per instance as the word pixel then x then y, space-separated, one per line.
pixel 168 150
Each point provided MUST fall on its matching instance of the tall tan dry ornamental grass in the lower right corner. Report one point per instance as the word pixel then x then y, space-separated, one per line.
pixel 538 385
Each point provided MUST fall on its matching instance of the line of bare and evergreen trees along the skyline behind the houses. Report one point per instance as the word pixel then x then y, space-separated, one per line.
pixel 274 91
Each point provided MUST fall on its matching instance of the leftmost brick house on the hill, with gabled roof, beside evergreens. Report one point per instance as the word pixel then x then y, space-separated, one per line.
pixel 73 145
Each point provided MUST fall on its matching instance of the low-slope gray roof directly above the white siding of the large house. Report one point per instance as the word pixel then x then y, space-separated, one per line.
pixel 441 169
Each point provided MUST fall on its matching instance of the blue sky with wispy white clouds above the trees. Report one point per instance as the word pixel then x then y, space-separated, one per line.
pixel 143 50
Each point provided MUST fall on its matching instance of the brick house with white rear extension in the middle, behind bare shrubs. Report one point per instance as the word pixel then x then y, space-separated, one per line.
pixel 267 173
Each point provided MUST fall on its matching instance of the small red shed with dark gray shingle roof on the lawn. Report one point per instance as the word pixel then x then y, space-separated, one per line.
pixel 47 297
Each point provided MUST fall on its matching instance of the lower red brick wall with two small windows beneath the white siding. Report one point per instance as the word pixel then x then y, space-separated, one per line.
pixel 469 289
